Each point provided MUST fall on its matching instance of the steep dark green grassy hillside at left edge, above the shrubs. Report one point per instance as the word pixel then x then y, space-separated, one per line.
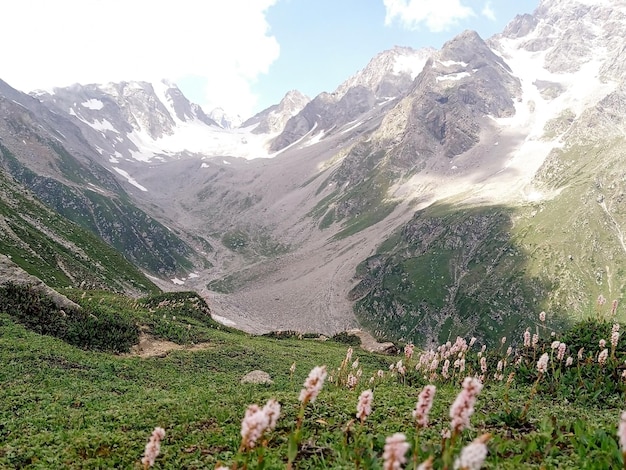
pixel 57 251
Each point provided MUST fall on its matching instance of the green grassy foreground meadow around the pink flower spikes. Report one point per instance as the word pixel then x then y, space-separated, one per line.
pixel 64 407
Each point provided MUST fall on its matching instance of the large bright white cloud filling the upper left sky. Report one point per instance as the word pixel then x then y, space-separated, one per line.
pixel 57 43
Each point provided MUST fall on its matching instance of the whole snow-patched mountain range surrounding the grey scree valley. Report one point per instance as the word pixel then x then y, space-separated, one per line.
pixel 434 193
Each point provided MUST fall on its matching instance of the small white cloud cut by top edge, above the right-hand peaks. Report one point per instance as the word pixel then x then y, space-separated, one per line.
pixel 437 15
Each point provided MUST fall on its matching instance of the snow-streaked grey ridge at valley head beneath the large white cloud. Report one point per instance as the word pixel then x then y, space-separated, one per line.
pixel 141 121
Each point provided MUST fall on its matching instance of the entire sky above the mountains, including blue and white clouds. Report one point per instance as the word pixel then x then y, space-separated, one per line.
pixel 241 55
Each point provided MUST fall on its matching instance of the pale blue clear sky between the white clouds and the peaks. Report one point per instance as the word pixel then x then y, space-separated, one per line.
pixel 323 42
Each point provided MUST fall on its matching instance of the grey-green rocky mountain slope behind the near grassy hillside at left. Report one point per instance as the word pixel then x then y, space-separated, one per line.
pixel 46 152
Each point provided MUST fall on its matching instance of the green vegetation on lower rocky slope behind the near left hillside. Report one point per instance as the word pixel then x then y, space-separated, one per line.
pixel 112 217
